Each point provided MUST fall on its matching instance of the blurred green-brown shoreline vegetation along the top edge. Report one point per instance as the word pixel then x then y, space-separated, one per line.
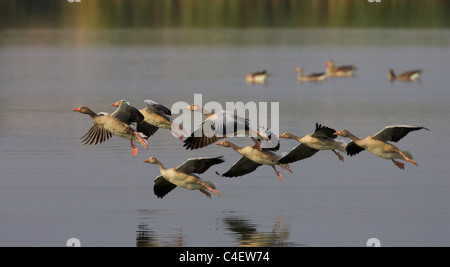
pixel 225 14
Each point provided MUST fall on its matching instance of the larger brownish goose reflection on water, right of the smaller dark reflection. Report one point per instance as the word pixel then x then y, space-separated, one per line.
pixel 248 235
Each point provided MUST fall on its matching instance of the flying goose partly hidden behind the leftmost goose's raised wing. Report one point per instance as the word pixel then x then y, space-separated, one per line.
pixel 161 117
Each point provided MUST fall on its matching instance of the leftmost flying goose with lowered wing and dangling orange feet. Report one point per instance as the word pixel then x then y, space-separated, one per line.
pixel 105 125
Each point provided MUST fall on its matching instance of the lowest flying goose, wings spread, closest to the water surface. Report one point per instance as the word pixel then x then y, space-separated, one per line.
pixel 184 176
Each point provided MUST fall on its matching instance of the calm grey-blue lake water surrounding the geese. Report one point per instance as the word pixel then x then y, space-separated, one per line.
pixel 53 188
